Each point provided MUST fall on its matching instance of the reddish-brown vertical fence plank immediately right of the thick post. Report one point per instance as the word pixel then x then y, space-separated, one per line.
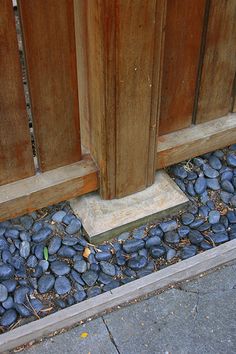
pixel 183 31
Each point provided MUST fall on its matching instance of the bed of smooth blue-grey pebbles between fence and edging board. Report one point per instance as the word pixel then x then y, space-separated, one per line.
pixel 46 264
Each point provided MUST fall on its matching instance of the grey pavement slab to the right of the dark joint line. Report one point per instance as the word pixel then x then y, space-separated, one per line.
pixel 200 317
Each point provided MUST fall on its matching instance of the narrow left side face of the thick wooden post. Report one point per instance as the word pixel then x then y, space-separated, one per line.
pixel 101 86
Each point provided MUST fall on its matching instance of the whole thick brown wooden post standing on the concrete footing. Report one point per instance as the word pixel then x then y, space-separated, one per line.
pixel 123 54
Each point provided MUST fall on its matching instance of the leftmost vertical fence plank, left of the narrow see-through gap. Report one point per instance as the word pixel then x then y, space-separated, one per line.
pixel 16 157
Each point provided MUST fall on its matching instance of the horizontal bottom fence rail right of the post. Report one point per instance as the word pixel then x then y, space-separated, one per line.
pixel 196 140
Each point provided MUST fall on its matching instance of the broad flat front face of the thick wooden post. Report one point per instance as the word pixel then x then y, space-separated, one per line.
pixel 135 40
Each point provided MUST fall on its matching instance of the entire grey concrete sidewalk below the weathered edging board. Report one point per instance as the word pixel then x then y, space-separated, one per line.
pixel 199 317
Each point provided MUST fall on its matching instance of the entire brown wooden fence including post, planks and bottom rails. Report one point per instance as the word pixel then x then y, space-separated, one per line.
pixel 156 85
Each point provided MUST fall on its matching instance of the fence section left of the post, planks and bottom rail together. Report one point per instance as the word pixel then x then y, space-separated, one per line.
pixel 50 60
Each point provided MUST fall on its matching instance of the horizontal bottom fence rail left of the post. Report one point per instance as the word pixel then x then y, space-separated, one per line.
pixel 48 188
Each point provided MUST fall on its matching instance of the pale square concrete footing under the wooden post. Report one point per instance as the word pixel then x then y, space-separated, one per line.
pixel 105 219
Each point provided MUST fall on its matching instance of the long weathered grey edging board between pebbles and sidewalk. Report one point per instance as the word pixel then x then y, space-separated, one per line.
pixel 161 279
